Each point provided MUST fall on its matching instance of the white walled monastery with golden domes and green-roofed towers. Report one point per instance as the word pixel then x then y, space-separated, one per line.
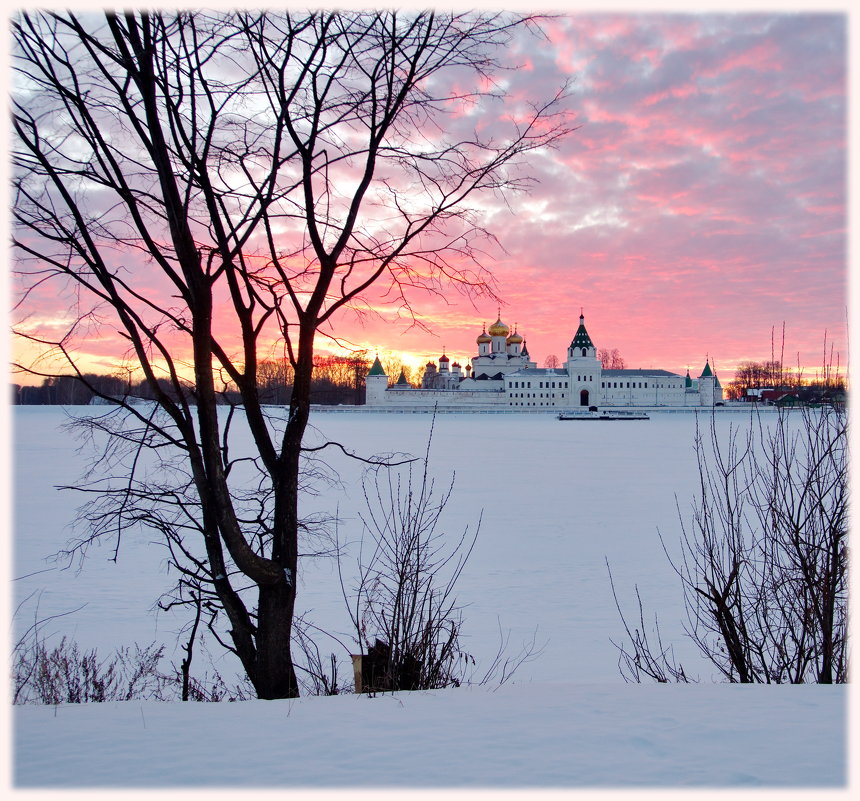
pixel 503 375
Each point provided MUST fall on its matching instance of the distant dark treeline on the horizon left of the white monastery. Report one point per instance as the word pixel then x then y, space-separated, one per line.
pixel 337 380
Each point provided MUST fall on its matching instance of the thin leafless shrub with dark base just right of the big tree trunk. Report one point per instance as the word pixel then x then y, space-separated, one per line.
pixel 404 610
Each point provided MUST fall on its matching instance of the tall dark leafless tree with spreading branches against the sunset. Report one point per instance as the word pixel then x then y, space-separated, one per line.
pixel 205 184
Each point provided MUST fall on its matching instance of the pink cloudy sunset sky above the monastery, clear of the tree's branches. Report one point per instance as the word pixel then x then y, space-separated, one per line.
pixel 700 204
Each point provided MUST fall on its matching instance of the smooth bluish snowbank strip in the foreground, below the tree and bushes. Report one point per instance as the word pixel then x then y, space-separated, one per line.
pixel 549 735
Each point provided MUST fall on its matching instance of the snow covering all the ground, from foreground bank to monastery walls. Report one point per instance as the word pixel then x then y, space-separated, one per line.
pixel 559 501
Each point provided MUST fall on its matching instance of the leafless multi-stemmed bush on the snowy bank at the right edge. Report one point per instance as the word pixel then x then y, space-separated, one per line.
pixel 764 559
